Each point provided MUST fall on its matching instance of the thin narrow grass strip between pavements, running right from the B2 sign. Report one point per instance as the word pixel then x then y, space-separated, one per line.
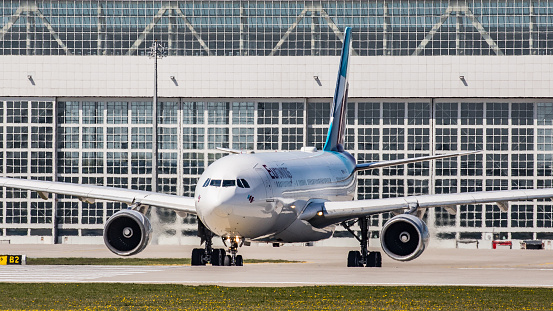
pixel 130 261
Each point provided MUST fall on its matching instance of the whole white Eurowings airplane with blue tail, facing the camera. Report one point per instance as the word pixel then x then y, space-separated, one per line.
pixel 282 197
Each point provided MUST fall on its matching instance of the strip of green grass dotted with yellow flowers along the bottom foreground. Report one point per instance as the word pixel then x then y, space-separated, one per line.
pixel 174 297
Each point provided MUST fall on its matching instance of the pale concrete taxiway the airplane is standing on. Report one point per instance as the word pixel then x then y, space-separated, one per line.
pixel 320 266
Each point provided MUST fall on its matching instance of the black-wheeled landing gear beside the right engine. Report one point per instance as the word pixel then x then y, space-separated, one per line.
pixel 362 258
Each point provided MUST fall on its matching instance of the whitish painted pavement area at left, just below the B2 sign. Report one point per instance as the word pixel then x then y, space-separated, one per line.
pixel 56 274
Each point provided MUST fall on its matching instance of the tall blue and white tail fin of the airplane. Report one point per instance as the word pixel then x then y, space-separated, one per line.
pixel 337 129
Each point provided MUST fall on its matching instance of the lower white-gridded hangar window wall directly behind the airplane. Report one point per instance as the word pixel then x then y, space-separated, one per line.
pixel 109 142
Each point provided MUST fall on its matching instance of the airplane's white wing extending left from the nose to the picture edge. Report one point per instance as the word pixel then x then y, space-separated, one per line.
pixel 90 193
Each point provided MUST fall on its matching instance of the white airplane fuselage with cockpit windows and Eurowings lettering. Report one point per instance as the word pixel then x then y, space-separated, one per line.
pixel 278 187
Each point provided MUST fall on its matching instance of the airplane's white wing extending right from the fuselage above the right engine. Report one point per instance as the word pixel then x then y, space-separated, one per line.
pixel 334 212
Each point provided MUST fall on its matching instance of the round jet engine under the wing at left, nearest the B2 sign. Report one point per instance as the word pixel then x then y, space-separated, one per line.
pixel 127 232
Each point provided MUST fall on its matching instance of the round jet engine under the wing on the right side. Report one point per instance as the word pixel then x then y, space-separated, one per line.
pixel 404 237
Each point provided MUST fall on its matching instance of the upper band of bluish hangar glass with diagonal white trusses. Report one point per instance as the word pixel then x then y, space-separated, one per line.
pixel 287 28
